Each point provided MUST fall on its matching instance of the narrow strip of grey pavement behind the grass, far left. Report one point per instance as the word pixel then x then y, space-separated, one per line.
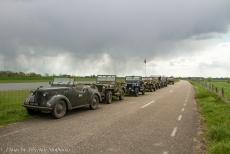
pixel 22 86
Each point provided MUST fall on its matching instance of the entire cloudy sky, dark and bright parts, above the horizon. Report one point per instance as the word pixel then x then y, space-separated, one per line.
pixel 84 37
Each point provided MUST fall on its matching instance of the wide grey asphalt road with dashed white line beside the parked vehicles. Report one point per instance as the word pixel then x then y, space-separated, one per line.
pixel 164 122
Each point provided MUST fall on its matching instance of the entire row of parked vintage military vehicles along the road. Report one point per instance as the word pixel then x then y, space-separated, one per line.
pixel 64 94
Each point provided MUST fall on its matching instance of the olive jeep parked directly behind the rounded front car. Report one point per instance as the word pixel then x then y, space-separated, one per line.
pixel 108 87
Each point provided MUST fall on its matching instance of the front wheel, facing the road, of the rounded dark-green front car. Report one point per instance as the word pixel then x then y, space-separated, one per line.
pixel 59 110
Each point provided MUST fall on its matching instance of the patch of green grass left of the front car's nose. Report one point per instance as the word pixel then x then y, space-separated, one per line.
pixel 11 109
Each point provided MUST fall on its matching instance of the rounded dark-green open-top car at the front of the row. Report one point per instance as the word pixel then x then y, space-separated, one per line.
pixel 63 95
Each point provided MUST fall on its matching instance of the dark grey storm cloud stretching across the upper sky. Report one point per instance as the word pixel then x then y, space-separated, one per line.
pixel 123 29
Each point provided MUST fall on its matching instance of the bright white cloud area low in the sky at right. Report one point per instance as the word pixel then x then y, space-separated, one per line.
pixel 211 62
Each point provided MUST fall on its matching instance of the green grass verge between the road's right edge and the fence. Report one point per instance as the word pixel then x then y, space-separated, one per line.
pixel 216 116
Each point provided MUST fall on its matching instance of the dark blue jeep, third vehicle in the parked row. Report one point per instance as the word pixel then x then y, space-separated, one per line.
pixel 134 85
